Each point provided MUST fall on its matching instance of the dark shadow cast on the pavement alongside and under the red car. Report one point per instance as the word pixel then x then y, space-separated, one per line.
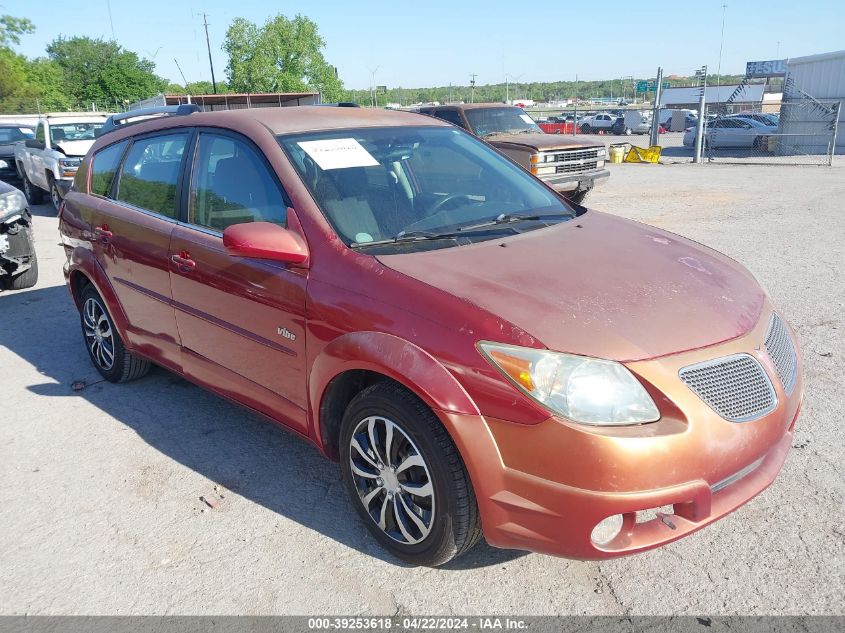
pixel 221 441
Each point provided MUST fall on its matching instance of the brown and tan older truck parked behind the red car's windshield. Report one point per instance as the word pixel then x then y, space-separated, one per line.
pixel 570 165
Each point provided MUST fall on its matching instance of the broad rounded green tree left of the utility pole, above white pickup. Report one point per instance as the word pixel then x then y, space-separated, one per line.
pixel 103 71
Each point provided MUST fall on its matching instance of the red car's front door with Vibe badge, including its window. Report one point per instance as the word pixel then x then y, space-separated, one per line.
pixel 244 316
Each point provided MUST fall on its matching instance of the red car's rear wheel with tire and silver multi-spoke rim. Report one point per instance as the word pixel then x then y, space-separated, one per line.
pixel 94 317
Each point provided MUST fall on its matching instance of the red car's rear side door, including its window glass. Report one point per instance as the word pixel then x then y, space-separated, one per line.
pixel 134 218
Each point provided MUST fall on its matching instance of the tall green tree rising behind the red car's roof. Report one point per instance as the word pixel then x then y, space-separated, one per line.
pixel 284 55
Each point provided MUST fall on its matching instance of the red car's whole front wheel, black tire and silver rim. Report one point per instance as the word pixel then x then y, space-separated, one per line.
pixel 446 523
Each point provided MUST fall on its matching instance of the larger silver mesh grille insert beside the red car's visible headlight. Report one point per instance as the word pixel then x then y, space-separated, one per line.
pixel 736 387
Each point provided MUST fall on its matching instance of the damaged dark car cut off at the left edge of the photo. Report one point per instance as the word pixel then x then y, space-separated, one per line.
pixel 18 262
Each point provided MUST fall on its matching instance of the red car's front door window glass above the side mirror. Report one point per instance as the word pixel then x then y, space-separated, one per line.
pixel 231 184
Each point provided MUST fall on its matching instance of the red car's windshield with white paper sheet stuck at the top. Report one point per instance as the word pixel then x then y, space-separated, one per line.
pixel 378 185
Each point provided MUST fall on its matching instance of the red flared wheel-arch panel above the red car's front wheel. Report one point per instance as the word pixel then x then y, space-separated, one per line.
pixel 391 356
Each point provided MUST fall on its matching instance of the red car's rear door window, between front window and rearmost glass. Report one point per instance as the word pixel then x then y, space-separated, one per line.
pixel 151 171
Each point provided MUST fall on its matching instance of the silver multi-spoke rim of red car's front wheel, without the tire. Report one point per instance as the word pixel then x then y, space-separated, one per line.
pixel 392 479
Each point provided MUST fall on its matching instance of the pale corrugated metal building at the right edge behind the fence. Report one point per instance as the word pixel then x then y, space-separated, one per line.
pixel 819 82
